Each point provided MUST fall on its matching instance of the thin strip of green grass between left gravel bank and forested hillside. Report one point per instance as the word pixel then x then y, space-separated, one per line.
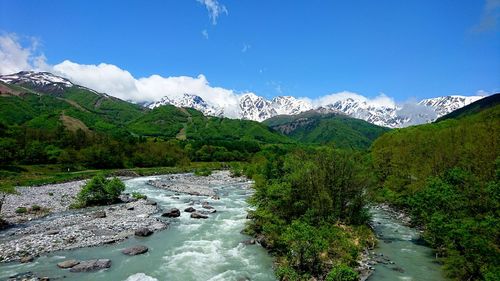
pixel 35 175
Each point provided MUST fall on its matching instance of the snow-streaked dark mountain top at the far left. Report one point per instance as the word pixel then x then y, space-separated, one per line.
pixel 44 82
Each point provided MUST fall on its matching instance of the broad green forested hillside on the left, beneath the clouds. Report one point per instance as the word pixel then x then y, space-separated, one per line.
pixel 78 127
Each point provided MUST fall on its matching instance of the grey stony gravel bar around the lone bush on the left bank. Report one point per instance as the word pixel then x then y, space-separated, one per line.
pixel 48 225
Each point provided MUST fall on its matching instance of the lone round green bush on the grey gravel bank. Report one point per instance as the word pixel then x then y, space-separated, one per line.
pixel 100 191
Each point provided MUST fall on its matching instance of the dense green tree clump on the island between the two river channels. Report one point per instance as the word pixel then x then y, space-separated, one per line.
pixel 310 210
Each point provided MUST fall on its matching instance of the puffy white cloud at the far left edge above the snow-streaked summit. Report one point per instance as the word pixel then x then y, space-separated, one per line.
pixel 14 57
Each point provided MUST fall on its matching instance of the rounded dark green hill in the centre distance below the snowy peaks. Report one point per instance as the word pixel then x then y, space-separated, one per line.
pixel 321 128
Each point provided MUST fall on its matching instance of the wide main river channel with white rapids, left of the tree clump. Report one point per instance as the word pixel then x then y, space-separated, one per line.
pixel 190 249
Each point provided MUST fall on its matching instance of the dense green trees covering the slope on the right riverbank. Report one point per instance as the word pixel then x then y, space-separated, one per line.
pixel 447 175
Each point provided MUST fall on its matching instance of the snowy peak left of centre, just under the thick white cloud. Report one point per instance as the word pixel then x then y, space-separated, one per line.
pixel 191 101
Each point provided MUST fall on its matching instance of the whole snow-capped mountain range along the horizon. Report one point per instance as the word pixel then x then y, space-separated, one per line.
pixel 257 108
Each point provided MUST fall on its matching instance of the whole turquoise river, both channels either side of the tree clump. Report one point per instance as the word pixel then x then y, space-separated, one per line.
pixel 211 249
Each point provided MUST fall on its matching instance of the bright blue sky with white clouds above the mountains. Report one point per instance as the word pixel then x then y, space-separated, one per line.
pixel 386 51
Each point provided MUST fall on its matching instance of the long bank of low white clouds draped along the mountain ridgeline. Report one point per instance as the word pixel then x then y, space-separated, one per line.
pixel 118 82
